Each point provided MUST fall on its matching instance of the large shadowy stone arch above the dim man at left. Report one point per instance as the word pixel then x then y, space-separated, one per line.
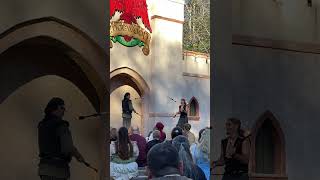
pixel 45 47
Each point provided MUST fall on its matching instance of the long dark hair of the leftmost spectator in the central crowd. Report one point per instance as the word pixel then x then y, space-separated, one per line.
pixel 124 146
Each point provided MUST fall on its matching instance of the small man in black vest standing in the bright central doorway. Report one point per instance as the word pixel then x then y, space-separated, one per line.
pixel 127 109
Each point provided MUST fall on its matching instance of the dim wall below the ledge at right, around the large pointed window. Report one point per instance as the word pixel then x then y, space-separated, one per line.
pixel 286 83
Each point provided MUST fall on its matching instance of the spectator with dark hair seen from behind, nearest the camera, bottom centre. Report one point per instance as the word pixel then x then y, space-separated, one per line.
pixel 164 163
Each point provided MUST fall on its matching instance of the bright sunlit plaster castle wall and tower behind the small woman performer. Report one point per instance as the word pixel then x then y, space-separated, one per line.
pixel 168 66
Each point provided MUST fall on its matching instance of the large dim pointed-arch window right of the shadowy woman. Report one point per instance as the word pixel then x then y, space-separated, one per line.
pixel 268 158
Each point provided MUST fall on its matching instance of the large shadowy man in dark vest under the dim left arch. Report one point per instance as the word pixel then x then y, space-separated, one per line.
pixel 55 143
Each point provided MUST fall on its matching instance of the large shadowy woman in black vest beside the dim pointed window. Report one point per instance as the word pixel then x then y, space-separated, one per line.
pixel 235 150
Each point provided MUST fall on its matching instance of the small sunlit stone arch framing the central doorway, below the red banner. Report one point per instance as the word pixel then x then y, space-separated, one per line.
pixel 126 76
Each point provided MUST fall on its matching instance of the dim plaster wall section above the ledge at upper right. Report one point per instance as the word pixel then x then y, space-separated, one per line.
pixel 293 20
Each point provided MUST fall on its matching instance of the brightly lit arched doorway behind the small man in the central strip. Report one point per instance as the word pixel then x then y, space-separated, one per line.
pixel 127 80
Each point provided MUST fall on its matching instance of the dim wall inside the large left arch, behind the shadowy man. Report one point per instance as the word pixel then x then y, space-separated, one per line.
pixel 21 113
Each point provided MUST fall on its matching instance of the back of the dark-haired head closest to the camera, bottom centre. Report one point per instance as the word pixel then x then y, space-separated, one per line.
pixel 163 159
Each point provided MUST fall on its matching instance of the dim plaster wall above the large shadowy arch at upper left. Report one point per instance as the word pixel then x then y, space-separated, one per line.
pixel 88 16
